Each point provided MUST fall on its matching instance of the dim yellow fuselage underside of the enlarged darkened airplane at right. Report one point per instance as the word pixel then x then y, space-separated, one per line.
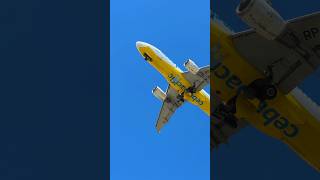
pixel 283 118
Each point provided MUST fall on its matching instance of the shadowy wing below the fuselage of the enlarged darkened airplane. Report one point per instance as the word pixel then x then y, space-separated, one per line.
pixel 221 131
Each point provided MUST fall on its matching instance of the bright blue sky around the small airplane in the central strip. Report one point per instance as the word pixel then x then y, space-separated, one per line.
pixel 180 29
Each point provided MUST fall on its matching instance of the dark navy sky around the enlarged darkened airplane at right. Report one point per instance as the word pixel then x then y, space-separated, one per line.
pixel 250 154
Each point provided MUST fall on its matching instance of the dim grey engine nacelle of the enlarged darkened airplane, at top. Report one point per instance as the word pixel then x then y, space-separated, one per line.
pixel 260 16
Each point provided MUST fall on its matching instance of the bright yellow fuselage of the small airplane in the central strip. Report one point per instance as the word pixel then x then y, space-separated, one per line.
pixel 175 77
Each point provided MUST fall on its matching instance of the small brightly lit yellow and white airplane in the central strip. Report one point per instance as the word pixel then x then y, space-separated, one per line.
pixel 183 86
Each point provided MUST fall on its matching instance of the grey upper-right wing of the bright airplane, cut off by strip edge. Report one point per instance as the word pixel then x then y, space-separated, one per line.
pixel 199 80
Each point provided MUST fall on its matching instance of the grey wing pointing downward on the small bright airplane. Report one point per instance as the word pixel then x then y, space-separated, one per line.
pixel 169 106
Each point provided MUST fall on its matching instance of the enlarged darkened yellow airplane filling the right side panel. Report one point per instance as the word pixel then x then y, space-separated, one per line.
pixel 255 74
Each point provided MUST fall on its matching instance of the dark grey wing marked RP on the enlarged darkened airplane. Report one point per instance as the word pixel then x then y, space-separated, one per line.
pixel 289 67
